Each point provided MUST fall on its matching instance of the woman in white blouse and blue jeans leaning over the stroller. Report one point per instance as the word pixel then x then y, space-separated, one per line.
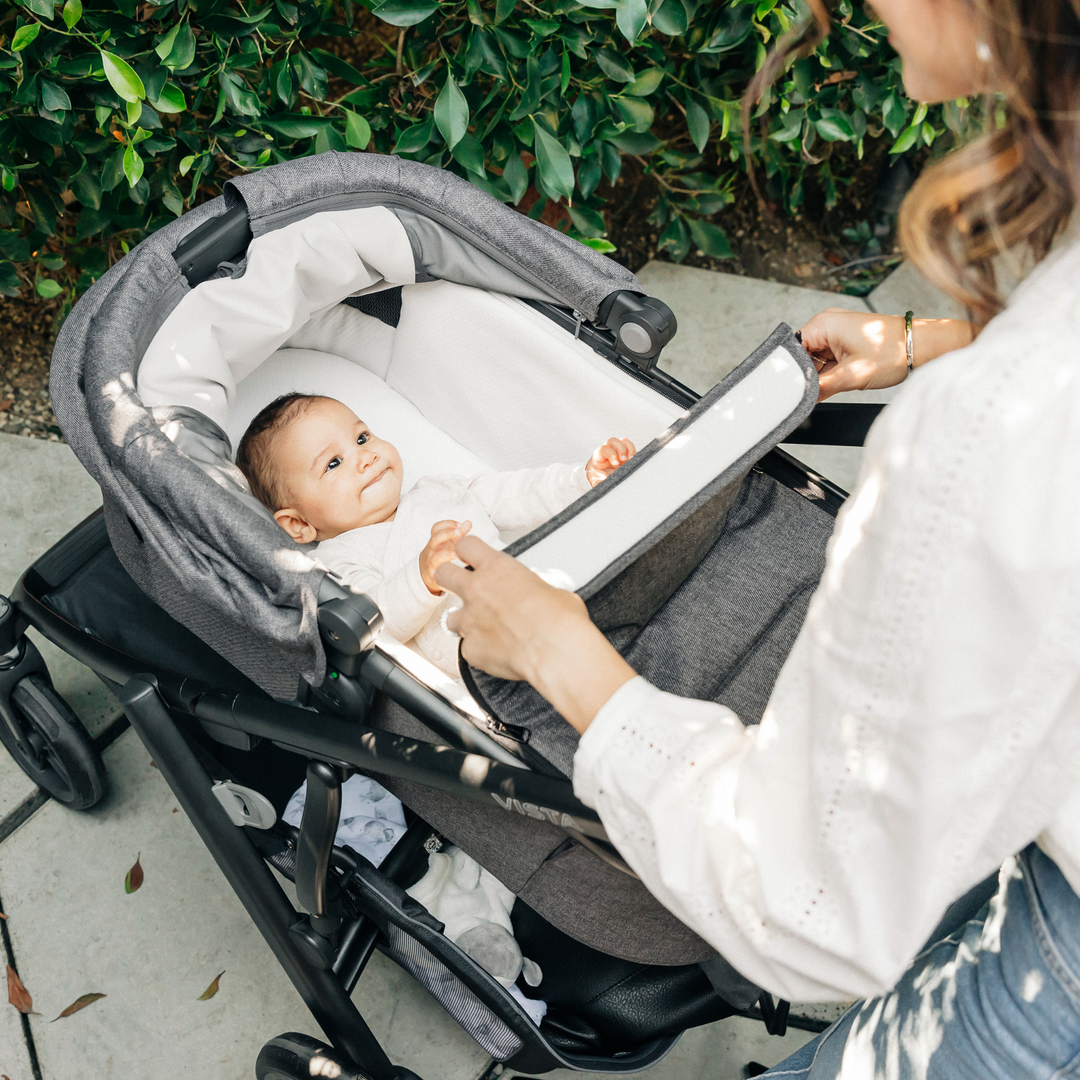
pixel 926 727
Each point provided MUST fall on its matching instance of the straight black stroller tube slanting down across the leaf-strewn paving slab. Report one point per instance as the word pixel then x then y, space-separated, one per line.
pixel 251 879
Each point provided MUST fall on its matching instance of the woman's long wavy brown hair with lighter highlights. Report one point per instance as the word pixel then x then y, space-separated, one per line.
pixel 1012 191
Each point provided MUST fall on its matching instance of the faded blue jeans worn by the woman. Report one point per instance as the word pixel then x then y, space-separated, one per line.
pixel 1000 1000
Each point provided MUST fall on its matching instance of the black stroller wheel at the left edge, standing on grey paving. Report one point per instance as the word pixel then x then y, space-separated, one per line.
pixel 59 755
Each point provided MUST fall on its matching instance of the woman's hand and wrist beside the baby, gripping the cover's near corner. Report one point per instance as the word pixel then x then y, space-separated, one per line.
pixel 516 626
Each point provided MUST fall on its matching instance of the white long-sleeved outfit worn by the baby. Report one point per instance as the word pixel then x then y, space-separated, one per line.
pixel 383 561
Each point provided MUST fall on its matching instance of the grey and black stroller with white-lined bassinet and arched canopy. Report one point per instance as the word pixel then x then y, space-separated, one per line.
pixel 475 339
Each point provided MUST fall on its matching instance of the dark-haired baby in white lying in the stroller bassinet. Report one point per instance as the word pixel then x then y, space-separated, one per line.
pixel 327 478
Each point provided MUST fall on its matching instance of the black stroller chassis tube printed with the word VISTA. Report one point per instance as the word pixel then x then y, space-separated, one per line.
pixel 467 776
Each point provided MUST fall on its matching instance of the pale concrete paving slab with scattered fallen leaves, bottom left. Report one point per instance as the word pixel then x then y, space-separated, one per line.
pixel 153 953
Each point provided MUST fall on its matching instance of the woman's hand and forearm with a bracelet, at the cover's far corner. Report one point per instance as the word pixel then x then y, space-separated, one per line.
pixel 862 352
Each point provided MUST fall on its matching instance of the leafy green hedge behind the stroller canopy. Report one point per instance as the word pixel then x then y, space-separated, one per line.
pixel 117 116
